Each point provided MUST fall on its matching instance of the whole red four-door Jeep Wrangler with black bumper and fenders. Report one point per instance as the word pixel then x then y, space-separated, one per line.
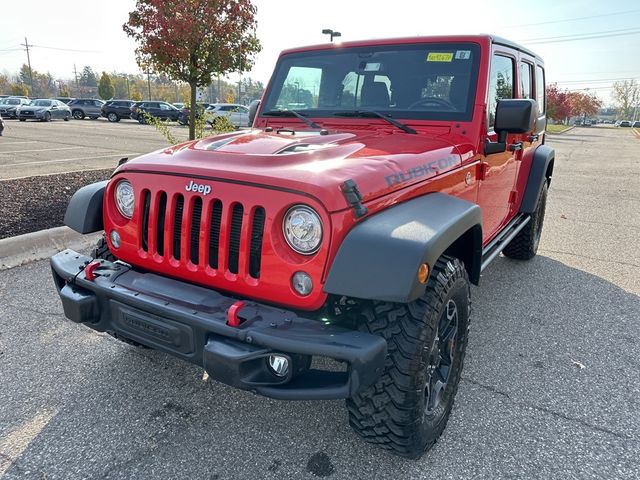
pixel 328 252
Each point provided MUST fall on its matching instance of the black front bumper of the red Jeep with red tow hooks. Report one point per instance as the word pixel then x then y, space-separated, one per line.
pixel 190 322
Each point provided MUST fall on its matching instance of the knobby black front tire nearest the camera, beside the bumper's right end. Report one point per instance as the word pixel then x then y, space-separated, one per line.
pixel 407 409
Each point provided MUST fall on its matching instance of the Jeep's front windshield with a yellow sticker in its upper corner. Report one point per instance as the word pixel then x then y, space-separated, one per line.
pixel 432 81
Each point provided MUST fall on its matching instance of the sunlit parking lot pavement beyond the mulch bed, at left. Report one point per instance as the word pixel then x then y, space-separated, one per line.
pixel 36 148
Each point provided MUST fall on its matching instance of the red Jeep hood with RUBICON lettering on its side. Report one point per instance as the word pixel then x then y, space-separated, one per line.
pixel 380 162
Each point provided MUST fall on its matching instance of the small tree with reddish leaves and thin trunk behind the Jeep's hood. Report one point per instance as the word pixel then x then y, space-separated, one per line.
pixel 191 40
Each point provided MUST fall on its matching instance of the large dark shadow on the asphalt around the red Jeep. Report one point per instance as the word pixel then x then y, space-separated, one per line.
pixel 128 412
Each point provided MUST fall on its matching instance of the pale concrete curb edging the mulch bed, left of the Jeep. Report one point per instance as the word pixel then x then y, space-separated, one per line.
pixel 16 251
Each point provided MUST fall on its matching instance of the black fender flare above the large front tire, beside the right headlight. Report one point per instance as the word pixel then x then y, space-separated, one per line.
pixel 379 258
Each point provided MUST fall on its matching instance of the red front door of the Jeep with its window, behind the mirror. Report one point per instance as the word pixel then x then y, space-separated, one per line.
pixel 494 193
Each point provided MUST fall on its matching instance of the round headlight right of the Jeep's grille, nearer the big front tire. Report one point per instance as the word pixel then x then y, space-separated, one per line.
pixel 303 229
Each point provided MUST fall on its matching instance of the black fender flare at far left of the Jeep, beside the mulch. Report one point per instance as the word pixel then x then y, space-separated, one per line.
pixel 84 212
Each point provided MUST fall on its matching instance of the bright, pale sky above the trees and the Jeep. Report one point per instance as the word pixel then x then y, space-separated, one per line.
pixel 585 44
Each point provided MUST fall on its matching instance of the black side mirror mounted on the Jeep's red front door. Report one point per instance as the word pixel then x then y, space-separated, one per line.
pixel 512 116
